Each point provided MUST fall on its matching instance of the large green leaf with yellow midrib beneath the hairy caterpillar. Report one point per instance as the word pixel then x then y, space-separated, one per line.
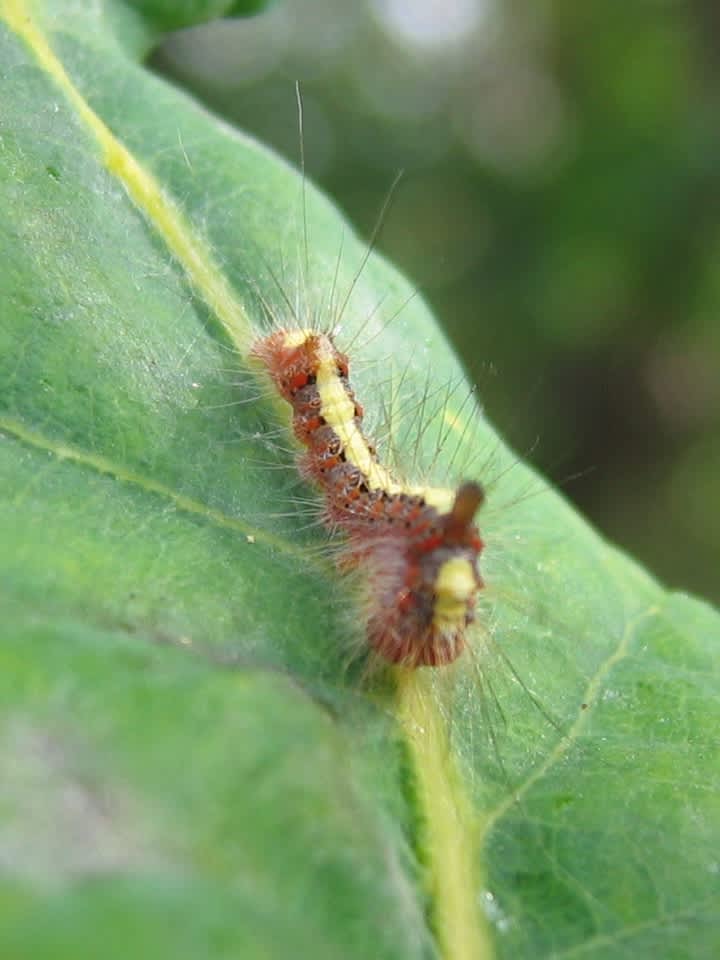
pixel 189 766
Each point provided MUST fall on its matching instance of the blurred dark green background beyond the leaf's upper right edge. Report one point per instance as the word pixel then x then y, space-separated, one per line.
pixel 560 210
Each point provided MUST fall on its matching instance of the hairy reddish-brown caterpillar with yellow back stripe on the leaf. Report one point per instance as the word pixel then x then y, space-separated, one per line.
pixel 418 547
